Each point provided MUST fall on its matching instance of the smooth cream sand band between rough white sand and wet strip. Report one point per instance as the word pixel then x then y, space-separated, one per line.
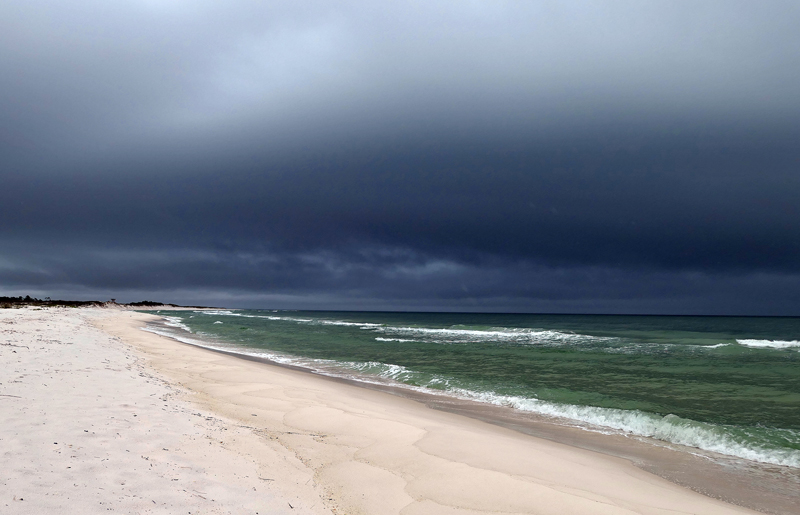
pixel 489 452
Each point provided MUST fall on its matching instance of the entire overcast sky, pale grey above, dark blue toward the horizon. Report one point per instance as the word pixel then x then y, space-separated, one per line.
pixel 605 157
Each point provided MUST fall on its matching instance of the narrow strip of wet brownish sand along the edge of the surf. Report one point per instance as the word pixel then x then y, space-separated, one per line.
pixel 759 486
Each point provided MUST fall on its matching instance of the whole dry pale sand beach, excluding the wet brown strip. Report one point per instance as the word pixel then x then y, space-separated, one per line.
pixel 101 416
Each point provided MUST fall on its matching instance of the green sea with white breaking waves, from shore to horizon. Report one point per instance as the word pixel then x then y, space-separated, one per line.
pixel 724 384
